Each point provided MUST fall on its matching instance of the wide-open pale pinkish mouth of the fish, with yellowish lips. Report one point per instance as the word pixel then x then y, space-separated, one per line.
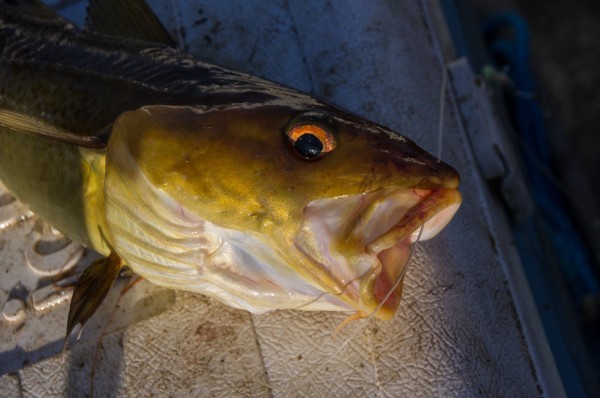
pixel 363 241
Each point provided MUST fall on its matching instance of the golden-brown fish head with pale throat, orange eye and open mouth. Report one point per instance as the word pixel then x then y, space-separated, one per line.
pixel 311 194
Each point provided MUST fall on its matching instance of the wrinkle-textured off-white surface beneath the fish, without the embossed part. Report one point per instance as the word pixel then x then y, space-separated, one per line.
pixel 463 328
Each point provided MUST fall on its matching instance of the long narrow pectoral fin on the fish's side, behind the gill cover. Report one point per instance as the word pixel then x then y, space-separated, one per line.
pixel 26 124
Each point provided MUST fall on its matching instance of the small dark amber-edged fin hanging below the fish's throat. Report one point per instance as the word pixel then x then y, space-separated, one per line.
pixel 91 289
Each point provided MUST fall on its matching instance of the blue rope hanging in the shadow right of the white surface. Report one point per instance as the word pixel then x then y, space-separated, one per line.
pixel 508 36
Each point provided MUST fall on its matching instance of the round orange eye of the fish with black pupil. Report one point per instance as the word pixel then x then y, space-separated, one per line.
pixel 310 136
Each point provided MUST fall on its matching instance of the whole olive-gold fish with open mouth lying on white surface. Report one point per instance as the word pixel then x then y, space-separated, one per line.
pixel 205 179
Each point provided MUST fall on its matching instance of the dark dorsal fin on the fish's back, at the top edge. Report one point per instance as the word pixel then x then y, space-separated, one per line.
pixel 127 18
